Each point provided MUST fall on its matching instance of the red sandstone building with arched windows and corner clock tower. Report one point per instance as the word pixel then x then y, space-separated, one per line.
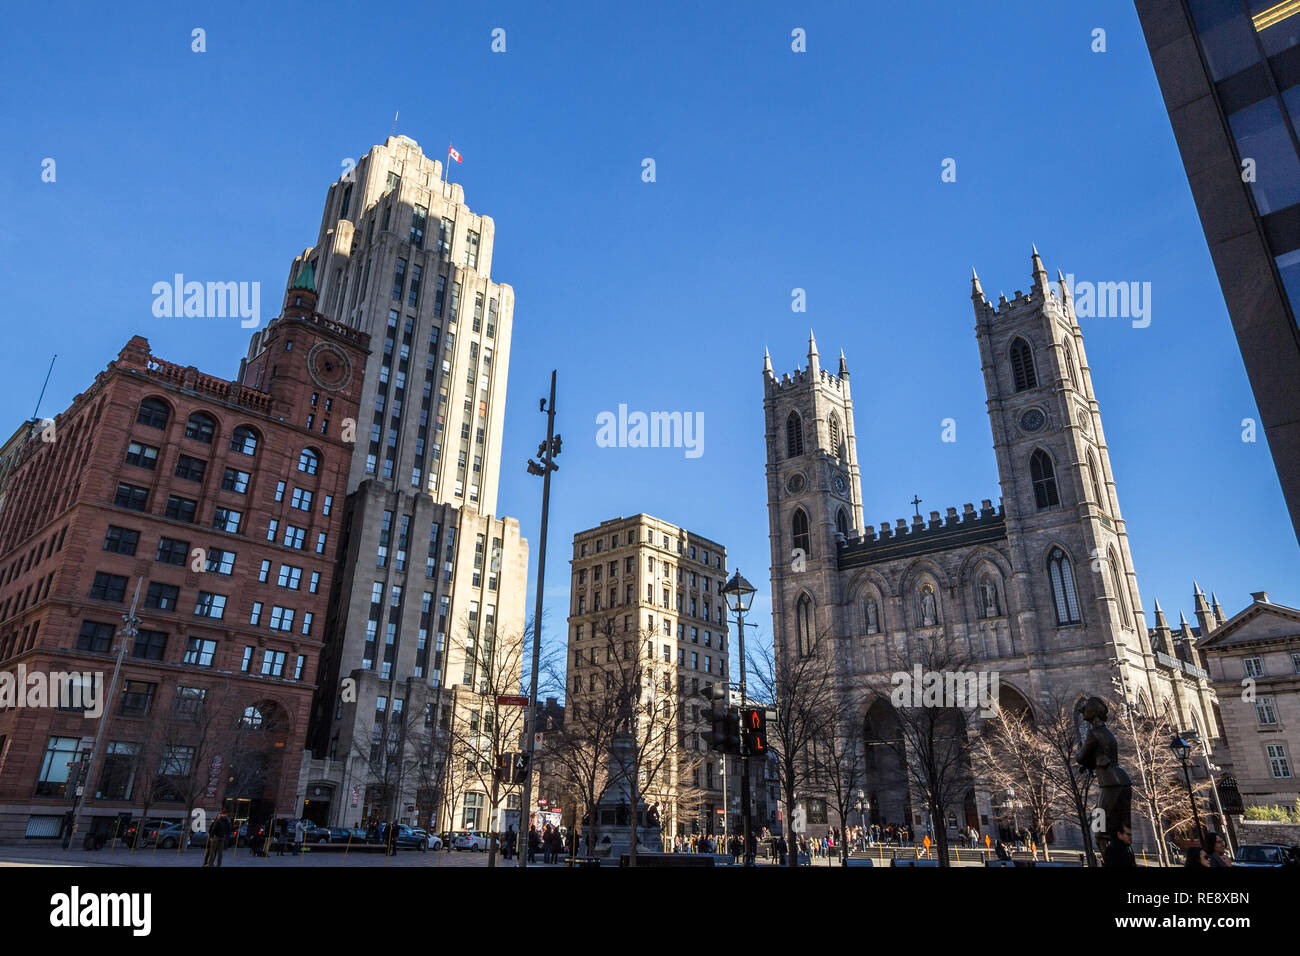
pixel 224 503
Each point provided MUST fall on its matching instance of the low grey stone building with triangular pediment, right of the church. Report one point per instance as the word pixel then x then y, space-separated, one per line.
pixel 1254 661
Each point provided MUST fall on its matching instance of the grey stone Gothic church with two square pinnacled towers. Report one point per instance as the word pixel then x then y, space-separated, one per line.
pixel 1039 589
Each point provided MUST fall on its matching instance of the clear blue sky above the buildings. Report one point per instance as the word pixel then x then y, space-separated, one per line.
pixel 774 171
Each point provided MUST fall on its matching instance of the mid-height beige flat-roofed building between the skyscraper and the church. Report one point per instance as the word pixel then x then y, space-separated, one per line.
pixel 658 589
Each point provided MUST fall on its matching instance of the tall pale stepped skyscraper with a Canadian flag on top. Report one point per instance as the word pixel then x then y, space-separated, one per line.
pixel 432 577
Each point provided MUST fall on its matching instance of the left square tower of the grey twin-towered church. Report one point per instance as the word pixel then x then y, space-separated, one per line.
pixel 814 494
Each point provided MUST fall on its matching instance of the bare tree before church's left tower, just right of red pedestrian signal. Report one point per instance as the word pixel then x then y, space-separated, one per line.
pixel 801 691
